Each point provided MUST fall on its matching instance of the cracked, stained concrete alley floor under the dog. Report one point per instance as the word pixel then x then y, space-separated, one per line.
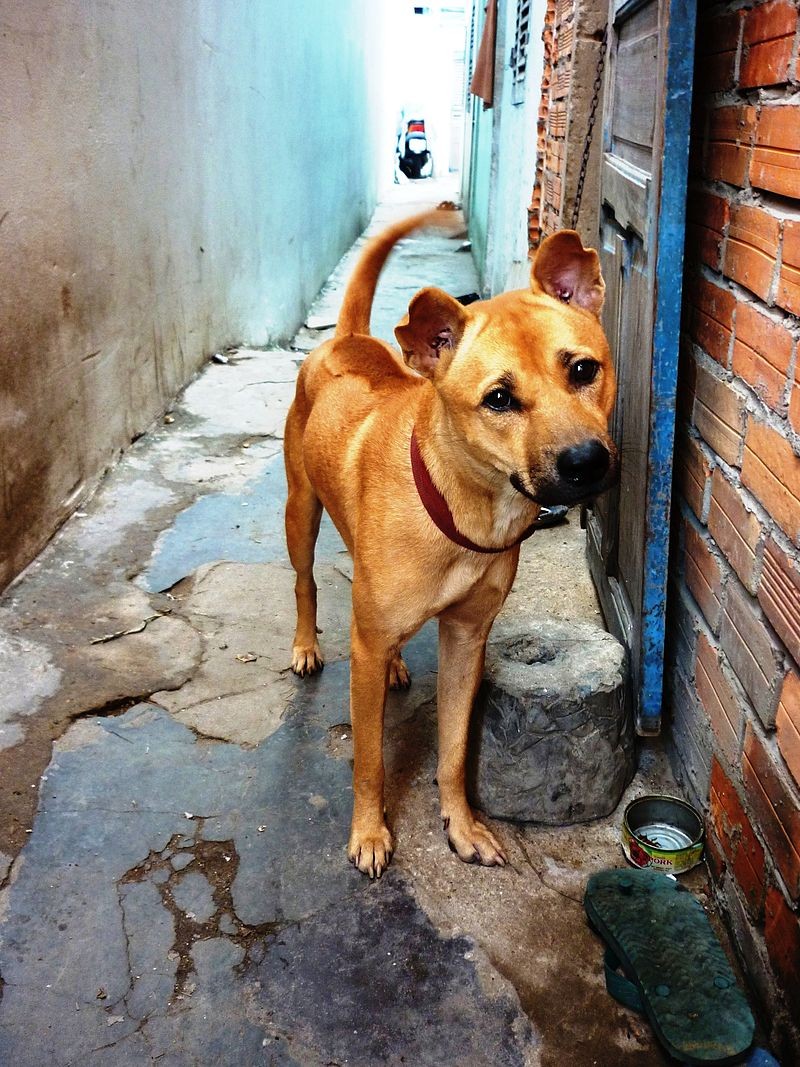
pixel 174 804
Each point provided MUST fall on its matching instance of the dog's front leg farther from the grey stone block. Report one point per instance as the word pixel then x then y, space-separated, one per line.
pixel 371 841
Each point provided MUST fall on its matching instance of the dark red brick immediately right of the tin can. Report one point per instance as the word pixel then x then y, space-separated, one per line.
pixel 738 840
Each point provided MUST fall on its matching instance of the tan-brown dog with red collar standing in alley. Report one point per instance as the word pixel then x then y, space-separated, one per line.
pixel 433 476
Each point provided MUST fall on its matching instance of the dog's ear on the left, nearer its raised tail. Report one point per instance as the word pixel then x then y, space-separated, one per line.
pixel 431 331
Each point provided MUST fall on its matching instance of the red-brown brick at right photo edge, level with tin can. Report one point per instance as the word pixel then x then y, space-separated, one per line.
pixel 776 808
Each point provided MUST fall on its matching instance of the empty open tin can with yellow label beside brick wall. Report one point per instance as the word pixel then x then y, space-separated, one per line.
pixel 663 833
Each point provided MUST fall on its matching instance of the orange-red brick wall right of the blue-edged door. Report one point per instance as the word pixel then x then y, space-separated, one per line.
pixel 734 624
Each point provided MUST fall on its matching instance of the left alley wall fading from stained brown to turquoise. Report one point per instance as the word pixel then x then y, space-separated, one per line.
pixel 174 178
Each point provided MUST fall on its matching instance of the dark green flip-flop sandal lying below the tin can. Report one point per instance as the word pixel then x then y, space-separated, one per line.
pixel 674 968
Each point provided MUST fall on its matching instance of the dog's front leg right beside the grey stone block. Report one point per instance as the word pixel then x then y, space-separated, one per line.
pixel 462 646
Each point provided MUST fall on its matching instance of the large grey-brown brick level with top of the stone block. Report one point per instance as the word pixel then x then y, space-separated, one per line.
pixel 757 659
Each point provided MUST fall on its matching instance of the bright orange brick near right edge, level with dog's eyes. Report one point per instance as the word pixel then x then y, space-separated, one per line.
pixel 762 354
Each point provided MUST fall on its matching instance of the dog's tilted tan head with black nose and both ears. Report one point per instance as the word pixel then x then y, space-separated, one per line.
pixel 526 380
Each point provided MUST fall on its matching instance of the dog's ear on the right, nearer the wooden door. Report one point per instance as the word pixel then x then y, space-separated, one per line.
pixel 565 269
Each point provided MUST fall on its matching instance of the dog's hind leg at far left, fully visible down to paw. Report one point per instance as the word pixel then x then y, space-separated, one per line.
pixel 303 515
